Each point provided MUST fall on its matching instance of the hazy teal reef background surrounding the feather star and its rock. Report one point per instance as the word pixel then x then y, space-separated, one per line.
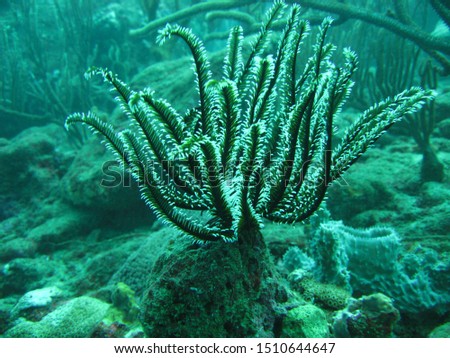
pixel 77 243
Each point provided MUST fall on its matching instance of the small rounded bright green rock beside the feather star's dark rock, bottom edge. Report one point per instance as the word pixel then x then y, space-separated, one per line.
pixel 306 321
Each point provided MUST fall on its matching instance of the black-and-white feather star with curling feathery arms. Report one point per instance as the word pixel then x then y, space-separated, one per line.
pixel 259 143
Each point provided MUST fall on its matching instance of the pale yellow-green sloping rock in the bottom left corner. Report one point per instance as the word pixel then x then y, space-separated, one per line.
pixel 77 318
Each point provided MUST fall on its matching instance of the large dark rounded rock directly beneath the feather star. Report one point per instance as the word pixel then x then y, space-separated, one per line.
pixel 218 290
